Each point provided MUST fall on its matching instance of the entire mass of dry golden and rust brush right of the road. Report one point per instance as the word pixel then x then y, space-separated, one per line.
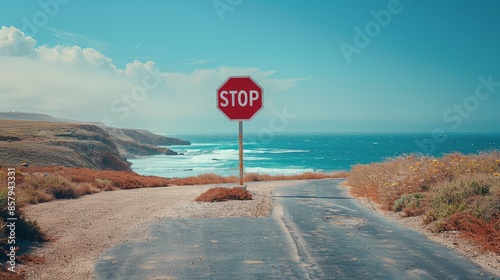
pixel 456 191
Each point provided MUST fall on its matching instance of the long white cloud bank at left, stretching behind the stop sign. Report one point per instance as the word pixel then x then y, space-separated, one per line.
pixel 82 83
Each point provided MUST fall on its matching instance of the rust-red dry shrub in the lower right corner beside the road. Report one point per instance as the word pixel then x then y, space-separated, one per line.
pixel 486 234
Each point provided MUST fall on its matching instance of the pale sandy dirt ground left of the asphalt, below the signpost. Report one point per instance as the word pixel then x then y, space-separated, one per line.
pixel 86 227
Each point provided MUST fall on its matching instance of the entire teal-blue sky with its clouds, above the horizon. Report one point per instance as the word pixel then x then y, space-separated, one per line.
pixel 414 68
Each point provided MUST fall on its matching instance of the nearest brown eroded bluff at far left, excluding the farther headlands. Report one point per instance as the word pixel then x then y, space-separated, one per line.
pixel 52 143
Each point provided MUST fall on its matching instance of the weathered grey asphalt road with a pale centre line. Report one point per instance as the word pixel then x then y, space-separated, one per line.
pixel 316 232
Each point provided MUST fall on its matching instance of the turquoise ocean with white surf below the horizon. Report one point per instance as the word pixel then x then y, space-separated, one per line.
pixel 297 153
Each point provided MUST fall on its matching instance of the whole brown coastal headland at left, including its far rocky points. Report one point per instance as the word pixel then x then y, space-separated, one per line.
pixel 51 141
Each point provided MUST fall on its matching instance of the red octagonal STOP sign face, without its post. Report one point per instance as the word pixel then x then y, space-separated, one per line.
pixel 239 98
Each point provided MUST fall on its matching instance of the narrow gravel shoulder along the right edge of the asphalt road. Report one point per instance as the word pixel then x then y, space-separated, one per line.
pixel 487 260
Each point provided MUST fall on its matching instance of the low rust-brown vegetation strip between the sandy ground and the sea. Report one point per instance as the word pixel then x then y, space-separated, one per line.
pixel 41 184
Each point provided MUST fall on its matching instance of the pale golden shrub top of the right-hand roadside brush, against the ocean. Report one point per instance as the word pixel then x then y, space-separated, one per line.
pixel 387 181
